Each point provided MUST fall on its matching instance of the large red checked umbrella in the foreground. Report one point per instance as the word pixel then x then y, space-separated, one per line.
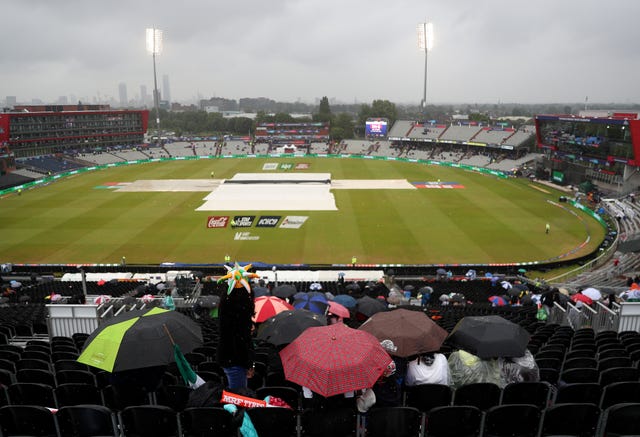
pixel 334 359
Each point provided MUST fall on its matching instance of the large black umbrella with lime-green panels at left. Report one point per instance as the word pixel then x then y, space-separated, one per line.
pixel 140 338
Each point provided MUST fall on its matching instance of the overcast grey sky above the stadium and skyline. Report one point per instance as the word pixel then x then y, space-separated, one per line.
pixel 543 51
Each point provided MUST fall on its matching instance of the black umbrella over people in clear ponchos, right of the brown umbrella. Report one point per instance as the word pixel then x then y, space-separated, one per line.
pixel 489 337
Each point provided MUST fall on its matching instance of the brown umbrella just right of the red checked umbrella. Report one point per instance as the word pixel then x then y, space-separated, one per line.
pixel 412 332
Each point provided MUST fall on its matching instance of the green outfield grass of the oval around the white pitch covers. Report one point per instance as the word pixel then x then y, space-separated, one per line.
pixel 491 220
